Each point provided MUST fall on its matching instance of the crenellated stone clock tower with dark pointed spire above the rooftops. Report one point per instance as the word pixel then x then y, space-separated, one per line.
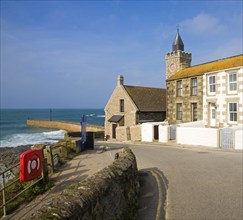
pixel 177 59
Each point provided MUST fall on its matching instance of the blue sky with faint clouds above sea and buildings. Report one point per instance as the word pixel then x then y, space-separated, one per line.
pixel 68 54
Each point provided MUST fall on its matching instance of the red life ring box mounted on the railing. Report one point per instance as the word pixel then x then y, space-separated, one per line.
pixel 30 165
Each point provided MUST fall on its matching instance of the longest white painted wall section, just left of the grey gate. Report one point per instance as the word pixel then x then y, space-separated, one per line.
pixel 197 136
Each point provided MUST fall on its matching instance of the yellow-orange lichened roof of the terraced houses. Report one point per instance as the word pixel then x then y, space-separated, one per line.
pixel 217 65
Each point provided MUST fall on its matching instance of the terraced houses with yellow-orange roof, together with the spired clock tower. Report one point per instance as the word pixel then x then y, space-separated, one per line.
pixel 211 91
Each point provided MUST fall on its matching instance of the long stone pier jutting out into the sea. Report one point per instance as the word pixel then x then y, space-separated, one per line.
pixel 63 125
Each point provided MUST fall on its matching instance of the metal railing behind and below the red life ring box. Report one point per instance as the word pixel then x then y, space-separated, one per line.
pixel 5 177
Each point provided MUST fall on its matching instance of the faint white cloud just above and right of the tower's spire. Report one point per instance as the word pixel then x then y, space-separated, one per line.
pixel 203 24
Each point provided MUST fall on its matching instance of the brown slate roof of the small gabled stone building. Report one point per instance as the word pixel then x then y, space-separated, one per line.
pixel 147 99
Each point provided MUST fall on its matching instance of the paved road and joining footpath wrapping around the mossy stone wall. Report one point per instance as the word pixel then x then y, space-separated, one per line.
pixel 176 182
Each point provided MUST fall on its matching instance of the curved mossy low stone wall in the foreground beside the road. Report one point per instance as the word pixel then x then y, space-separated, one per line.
pixel 109 194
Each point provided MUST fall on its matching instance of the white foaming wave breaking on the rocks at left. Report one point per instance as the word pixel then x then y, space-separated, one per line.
pixel 32 138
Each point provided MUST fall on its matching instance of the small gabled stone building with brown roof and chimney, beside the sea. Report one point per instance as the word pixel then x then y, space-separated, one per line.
pixel 129 106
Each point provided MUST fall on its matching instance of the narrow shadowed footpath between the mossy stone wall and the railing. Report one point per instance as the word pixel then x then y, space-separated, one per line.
pixel 80 167
